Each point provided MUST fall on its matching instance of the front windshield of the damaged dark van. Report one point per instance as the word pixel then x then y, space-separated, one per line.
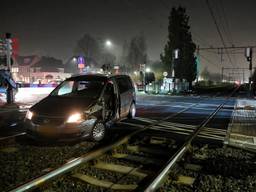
pixel 84 88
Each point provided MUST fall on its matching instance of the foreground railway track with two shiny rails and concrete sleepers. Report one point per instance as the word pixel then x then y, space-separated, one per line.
pixel 141 147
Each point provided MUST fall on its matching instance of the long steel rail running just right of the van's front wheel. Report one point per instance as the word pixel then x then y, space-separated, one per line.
pixel 69 166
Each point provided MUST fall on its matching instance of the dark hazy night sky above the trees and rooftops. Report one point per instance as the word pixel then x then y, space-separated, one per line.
pixel 52 27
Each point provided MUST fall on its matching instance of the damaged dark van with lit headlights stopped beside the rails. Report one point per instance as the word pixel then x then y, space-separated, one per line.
pixel 82 106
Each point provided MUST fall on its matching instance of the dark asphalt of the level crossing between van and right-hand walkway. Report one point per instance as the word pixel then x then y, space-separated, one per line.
pixel 157 107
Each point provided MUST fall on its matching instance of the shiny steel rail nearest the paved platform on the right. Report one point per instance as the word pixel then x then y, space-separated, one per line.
pixel 157 181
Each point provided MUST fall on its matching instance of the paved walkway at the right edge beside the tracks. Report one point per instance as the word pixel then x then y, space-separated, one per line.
pixel 242 128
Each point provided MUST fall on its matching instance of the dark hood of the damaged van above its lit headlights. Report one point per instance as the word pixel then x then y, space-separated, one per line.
pixel 62 106
